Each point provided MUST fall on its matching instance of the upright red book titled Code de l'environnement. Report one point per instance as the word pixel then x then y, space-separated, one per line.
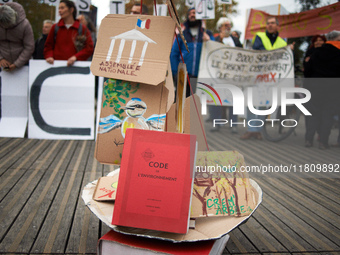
pixel 155 181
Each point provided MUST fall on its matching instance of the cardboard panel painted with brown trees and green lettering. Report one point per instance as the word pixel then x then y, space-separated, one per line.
pixel 221 188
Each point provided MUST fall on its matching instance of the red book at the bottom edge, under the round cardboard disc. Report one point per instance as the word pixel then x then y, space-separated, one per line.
pixel 117 243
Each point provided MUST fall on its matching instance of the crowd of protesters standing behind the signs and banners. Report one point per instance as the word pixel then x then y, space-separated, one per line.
pixel 73 38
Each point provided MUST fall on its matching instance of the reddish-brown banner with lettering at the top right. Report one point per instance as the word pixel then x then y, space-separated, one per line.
pixel 317 21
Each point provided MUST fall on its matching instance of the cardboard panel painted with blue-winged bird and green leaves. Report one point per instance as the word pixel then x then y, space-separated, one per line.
pixel 127 105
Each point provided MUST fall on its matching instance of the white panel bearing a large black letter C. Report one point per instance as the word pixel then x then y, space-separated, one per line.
pixel 61 100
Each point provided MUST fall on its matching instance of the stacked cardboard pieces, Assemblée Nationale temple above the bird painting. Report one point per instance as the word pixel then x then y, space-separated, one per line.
pixel 133 52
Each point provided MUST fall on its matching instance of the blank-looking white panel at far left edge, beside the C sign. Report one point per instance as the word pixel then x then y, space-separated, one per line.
pixel 13 102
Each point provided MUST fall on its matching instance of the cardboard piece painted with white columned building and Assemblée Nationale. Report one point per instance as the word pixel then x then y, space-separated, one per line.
pixel 134 48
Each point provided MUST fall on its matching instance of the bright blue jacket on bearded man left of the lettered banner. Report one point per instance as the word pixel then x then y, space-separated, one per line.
pixel 192 58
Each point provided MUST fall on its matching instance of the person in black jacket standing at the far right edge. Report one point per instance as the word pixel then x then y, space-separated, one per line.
pixel 323 68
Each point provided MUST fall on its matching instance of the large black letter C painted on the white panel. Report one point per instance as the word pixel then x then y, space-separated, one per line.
pixel 35 96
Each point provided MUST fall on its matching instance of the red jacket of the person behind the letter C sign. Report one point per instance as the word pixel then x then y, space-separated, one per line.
pixel 64 48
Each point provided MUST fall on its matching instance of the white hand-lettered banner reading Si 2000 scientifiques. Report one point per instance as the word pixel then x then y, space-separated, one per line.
pixel 222 66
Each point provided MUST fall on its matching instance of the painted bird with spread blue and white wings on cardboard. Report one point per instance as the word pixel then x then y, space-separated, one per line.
pixel 134 109
